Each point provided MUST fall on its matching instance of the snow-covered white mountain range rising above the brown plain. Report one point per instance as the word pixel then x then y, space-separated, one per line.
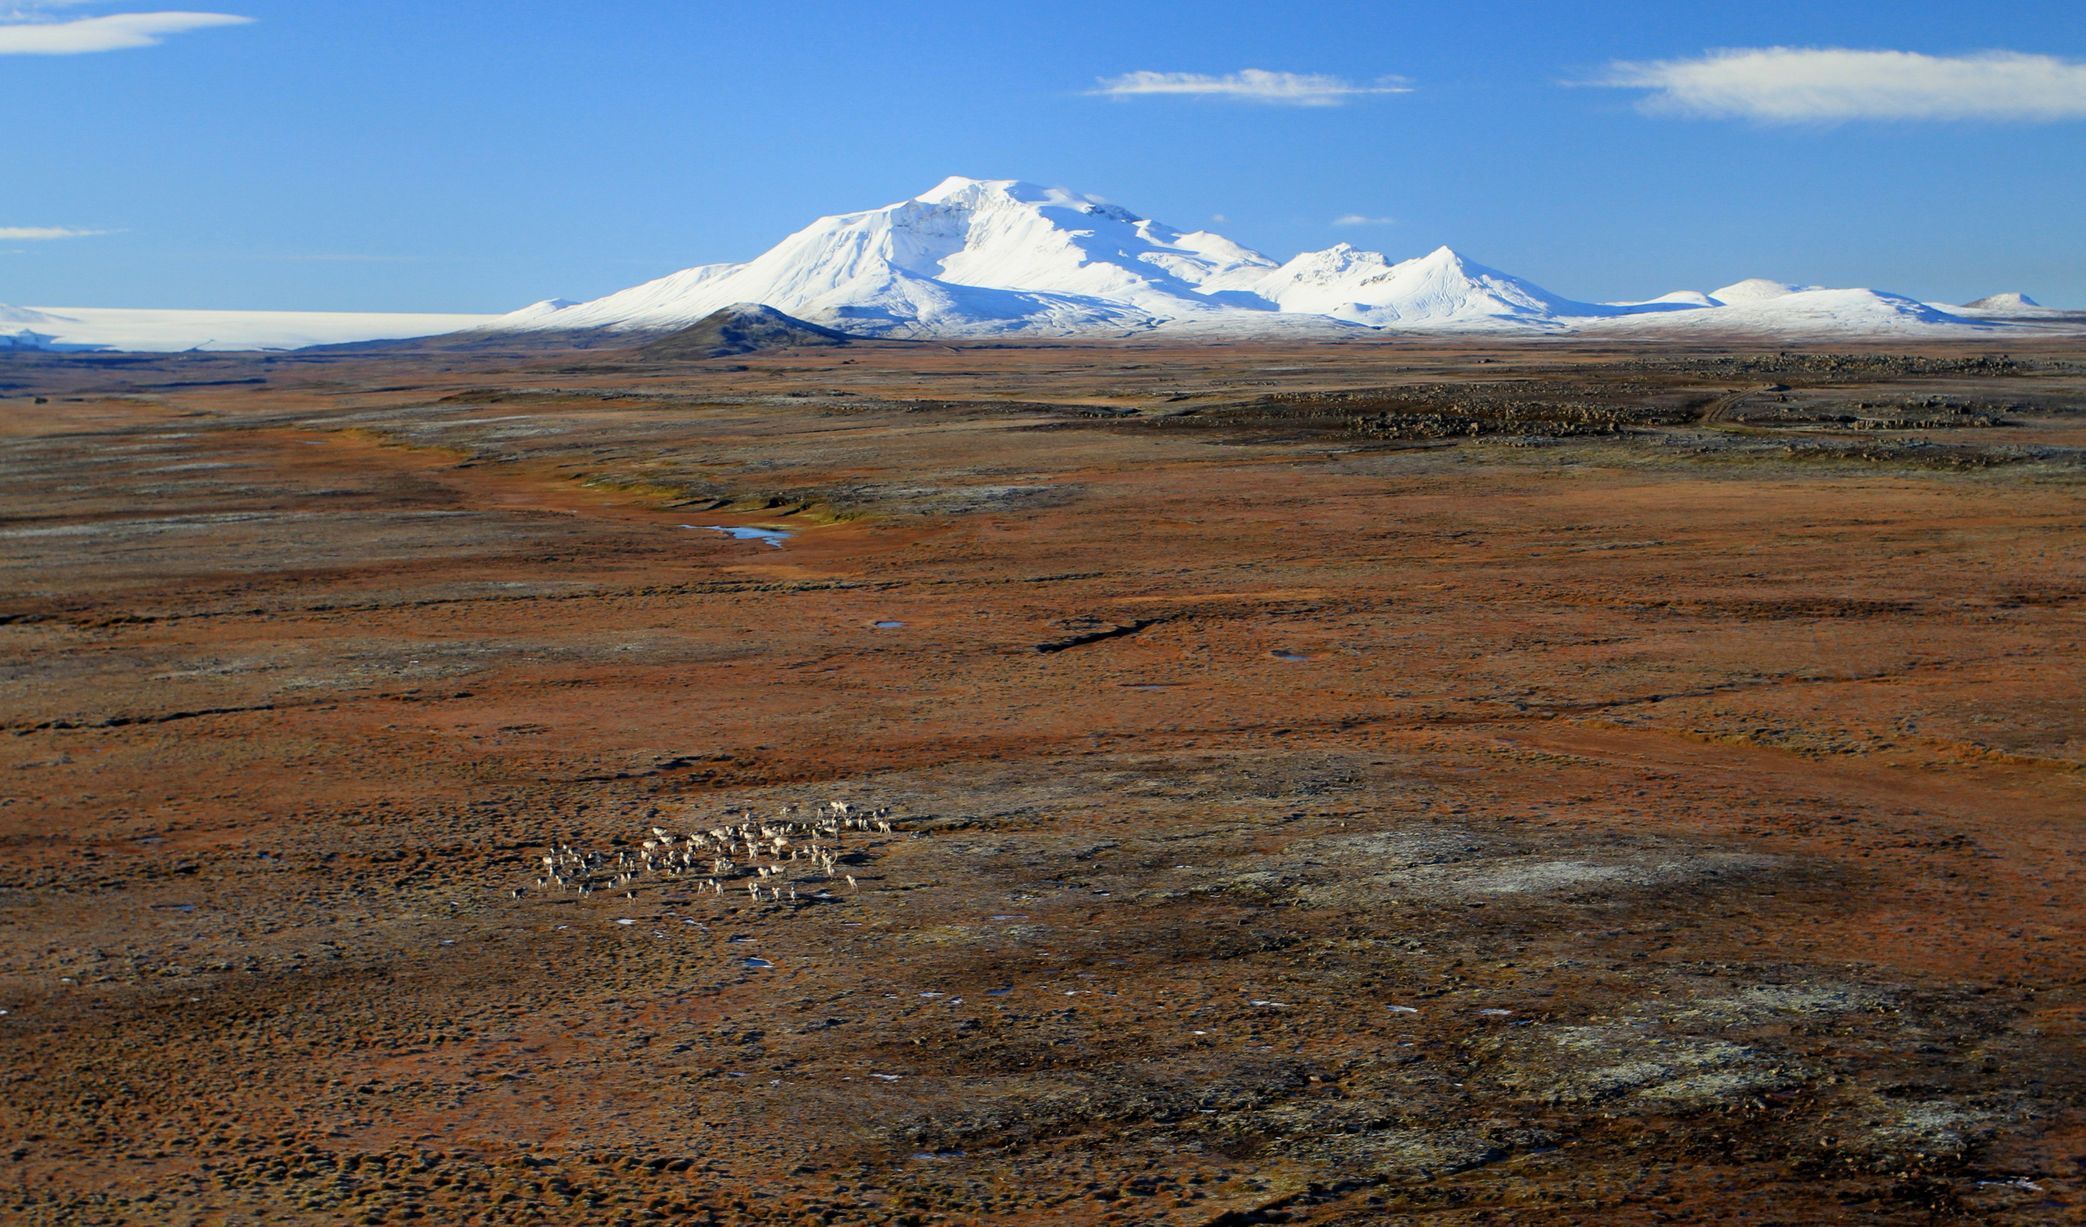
pixel 996 258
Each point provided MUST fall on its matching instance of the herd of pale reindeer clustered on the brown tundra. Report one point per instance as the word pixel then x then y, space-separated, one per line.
pixel 771 859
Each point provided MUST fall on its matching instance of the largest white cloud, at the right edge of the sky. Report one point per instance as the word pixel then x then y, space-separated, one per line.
pixel 1787 85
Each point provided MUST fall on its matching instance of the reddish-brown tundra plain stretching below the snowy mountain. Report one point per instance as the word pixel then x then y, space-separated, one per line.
pixel 1328 784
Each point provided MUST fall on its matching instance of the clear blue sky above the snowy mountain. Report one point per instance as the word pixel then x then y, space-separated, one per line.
pixel 475 155
